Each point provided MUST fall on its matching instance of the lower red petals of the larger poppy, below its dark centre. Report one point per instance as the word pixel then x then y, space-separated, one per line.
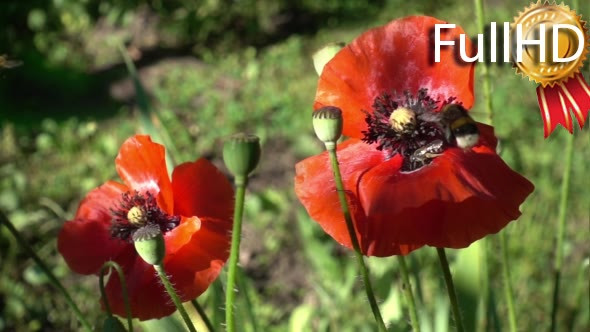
pixel 459 198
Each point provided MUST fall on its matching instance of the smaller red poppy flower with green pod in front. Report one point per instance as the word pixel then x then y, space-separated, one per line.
pixel 194 212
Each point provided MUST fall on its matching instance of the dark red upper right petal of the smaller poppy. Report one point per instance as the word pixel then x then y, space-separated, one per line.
pixel 202 190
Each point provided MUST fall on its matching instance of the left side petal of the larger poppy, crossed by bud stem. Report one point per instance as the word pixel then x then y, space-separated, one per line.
pixel 315 188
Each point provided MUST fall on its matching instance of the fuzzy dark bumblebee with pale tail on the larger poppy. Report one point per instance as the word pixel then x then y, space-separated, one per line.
pixel 460 129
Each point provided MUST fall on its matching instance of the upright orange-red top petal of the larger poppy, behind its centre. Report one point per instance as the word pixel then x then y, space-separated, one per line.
pixel 396 57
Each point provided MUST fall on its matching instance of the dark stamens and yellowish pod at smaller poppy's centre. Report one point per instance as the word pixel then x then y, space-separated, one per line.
pixel 137 211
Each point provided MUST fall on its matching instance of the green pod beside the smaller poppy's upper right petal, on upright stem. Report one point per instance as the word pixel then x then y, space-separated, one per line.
pixel 241 154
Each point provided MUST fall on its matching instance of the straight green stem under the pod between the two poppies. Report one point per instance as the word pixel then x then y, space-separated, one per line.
pixel 240 182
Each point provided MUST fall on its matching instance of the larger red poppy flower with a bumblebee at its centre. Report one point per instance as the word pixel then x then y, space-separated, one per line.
pixel 414 175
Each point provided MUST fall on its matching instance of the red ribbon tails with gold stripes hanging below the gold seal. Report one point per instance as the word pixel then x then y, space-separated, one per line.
pixel 557 101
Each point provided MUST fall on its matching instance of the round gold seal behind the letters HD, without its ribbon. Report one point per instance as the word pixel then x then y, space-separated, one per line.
pixel 549 72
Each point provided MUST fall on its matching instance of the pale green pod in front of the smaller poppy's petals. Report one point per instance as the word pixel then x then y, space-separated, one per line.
pixel 149 244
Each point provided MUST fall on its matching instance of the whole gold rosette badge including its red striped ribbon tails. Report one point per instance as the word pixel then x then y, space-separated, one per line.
pixel 550 45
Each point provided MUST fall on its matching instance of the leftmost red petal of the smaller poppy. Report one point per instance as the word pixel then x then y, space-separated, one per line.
pixel 86 242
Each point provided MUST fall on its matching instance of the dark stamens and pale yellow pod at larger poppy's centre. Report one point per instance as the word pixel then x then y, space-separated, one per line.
pixel 408 125
